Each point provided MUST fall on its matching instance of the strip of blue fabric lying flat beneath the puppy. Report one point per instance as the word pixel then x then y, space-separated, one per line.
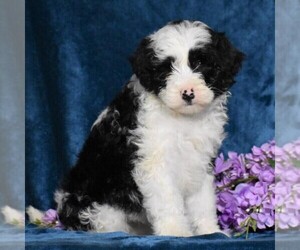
pixel 55 239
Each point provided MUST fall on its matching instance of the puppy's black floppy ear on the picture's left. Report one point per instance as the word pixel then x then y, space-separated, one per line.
pixel 142 62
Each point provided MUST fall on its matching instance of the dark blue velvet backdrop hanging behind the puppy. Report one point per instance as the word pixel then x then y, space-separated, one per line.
pixel 77 60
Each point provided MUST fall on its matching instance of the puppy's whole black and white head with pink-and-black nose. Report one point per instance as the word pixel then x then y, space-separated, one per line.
pixel 187 65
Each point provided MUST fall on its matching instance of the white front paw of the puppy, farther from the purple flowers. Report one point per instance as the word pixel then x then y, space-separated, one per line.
pixel 173 228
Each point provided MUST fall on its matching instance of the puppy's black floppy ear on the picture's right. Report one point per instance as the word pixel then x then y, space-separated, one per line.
pixel 230 58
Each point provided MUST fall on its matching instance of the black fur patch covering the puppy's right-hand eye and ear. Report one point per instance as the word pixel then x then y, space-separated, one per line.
pixel 218 62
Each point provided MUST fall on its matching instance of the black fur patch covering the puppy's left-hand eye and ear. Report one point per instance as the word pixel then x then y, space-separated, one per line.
pixel 151 72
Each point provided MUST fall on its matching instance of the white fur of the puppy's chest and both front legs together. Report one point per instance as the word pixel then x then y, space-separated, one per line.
pixel 172 170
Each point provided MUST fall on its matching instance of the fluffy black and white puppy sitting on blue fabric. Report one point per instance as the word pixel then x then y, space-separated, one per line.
pixel 148 157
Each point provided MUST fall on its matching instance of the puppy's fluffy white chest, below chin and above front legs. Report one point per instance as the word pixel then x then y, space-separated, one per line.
pixel 180 146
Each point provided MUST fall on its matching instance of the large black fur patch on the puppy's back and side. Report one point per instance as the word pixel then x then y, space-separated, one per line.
pixel 102 173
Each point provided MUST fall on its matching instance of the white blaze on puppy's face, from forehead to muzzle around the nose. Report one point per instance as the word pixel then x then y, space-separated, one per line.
pixel 176 41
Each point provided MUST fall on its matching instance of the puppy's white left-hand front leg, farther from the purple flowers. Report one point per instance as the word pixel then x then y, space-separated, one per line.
pixel 163 203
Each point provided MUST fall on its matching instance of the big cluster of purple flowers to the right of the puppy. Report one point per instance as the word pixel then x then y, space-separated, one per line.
pixel 247 193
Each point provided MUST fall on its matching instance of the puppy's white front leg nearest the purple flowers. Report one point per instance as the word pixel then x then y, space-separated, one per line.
pixel 201 208
